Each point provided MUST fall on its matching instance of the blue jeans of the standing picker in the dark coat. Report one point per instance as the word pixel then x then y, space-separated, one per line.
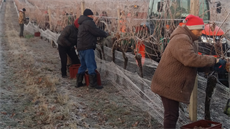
pixel 87 59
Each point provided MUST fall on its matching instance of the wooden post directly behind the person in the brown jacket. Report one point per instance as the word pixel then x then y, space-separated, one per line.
pixel 194 5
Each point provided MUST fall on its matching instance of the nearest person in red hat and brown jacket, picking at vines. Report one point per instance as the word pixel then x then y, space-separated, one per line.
pixel 175 75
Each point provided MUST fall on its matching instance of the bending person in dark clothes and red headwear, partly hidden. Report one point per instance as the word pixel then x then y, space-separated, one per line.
pixel 66 42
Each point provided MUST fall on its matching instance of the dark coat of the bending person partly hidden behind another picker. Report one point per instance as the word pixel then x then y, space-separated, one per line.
pixel 68 37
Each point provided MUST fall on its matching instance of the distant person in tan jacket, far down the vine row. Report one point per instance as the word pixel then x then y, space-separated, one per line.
pixel 21 21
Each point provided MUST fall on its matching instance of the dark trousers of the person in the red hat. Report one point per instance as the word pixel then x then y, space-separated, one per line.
pixel 171 113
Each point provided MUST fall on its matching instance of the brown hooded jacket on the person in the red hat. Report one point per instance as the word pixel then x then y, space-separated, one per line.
pixel 175 75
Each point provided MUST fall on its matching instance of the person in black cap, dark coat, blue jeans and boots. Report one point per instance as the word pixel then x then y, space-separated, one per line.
pixel 87 39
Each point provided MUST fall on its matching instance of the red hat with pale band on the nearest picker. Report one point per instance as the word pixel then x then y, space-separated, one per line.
pixel 194 22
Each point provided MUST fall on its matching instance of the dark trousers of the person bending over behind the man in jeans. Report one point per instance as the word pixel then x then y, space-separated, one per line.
pixel 63 51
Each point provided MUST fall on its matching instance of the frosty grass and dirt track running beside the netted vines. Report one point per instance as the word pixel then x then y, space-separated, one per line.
pixel 34 96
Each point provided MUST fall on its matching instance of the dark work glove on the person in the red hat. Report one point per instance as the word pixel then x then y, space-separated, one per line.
pixel 220 66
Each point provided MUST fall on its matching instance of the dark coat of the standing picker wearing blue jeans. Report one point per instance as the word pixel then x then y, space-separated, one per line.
pixel 88 33
